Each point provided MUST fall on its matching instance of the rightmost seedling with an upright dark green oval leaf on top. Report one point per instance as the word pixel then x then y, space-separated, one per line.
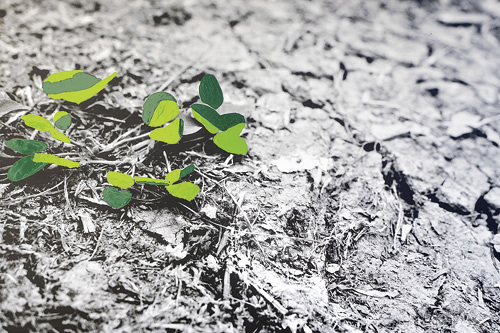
pixel 226 127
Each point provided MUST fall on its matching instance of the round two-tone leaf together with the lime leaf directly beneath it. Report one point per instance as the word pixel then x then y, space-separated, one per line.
pixel 158 109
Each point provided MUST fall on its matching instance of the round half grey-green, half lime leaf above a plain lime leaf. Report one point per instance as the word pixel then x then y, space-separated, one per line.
pixel 159 108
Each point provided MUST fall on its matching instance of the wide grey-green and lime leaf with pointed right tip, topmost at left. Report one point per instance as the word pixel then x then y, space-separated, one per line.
pixel 74 86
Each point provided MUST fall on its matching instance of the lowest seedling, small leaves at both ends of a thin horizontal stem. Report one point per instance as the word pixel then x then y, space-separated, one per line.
pixel 119 199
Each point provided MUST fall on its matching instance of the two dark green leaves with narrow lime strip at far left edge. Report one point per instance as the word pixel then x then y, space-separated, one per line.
pixel 36 161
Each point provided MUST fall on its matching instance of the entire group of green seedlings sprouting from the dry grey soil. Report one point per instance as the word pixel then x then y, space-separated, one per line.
pixel 160 111
